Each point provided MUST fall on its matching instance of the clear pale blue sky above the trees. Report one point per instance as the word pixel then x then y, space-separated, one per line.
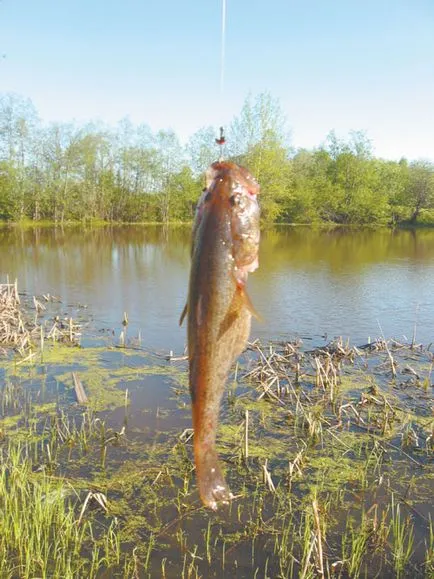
pixel 332 64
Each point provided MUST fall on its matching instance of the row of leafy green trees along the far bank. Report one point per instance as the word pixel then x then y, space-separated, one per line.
pixel 65 172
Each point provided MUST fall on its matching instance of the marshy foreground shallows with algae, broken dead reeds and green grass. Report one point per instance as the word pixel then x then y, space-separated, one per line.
pixel 330 452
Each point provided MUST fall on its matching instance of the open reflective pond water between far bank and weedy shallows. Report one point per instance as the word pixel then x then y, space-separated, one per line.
pixel 358 284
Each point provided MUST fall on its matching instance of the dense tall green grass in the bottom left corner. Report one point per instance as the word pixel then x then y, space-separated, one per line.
pixel 41 535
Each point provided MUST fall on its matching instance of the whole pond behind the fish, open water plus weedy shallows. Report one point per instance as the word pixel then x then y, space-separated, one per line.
pixel 327 445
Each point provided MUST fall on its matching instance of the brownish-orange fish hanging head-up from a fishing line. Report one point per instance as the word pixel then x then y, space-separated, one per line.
pixel 225 243
